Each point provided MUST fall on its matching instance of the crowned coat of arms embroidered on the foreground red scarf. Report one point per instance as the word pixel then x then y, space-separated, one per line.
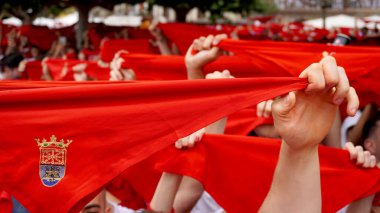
pixel 52 160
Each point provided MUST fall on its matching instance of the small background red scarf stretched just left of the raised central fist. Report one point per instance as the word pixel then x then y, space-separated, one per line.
pixel 112 46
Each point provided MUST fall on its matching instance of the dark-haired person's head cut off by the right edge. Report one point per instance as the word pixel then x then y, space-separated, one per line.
pixel 371 135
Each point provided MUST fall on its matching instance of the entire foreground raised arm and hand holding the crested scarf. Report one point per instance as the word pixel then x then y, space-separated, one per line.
pixel 303 119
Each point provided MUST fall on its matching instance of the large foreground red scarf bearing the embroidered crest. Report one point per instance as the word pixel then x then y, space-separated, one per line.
pixel 108 124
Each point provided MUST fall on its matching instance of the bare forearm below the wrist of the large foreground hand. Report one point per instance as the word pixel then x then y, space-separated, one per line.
pixel 296 182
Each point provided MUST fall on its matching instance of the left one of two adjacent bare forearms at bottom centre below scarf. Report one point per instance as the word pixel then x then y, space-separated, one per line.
pixel 166 190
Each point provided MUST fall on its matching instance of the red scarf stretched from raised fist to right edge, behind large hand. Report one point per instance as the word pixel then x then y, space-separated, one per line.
pixel 360 66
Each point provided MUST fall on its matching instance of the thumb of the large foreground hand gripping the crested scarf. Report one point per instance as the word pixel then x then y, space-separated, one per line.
pixel 282 106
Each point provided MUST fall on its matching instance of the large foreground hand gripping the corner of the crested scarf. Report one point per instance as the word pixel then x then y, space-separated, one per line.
pixel 303 118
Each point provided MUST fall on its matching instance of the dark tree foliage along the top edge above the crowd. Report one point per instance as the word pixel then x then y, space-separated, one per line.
pixel 29 9
